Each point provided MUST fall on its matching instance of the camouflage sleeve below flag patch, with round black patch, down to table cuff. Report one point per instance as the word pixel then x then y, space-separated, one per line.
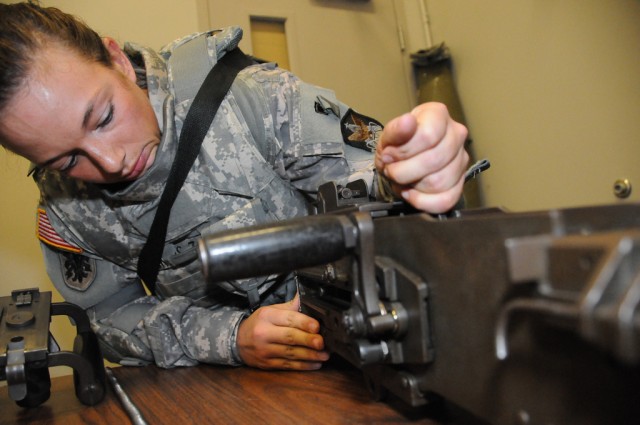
pixel 134 328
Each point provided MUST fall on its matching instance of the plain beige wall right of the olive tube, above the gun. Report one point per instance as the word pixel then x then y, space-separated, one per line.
pixel 551 91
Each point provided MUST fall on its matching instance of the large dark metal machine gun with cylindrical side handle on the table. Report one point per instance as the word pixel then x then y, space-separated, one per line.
pixel 517 318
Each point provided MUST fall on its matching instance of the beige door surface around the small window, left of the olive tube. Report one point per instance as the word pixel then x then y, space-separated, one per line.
pixel 351 47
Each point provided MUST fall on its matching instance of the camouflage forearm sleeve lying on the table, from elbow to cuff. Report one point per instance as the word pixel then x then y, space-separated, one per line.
pixel 173 332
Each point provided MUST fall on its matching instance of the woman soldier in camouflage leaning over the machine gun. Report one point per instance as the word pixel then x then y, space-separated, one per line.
pixel 101 126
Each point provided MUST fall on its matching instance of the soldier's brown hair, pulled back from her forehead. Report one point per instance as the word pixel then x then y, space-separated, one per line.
pixel 26 28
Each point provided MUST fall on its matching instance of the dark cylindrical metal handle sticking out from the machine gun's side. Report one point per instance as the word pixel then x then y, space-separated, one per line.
pixel 275 247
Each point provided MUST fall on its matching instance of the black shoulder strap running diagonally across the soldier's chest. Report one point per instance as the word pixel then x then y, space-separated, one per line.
pixel 195 127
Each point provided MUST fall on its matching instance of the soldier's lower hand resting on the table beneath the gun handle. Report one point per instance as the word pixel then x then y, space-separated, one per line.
pixel 280 337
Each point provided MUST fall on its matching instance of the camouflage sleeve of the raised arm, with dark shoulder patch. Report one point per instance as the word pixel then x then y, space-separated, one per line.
pixel 307 134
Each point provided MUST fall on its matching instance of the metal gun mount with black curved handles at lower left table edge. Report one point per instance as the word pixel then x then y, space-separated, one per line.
pixel 27 350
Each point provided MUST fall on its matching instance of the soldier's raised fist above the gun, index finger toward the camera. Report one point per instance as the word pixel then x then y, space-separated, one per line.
pixel 422 154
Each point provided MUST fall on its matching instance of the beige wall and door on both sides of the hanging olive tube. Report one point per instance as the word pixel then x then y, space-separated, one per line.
pixel 550 88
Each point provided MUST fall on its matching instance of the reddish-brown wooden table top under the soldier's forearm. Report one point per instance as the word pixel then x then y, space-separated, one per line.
pixel 221 395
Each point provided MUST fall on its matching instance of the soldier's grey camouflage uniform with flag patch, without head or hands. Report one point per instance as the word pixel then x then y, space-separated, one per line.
pixel 273 141
